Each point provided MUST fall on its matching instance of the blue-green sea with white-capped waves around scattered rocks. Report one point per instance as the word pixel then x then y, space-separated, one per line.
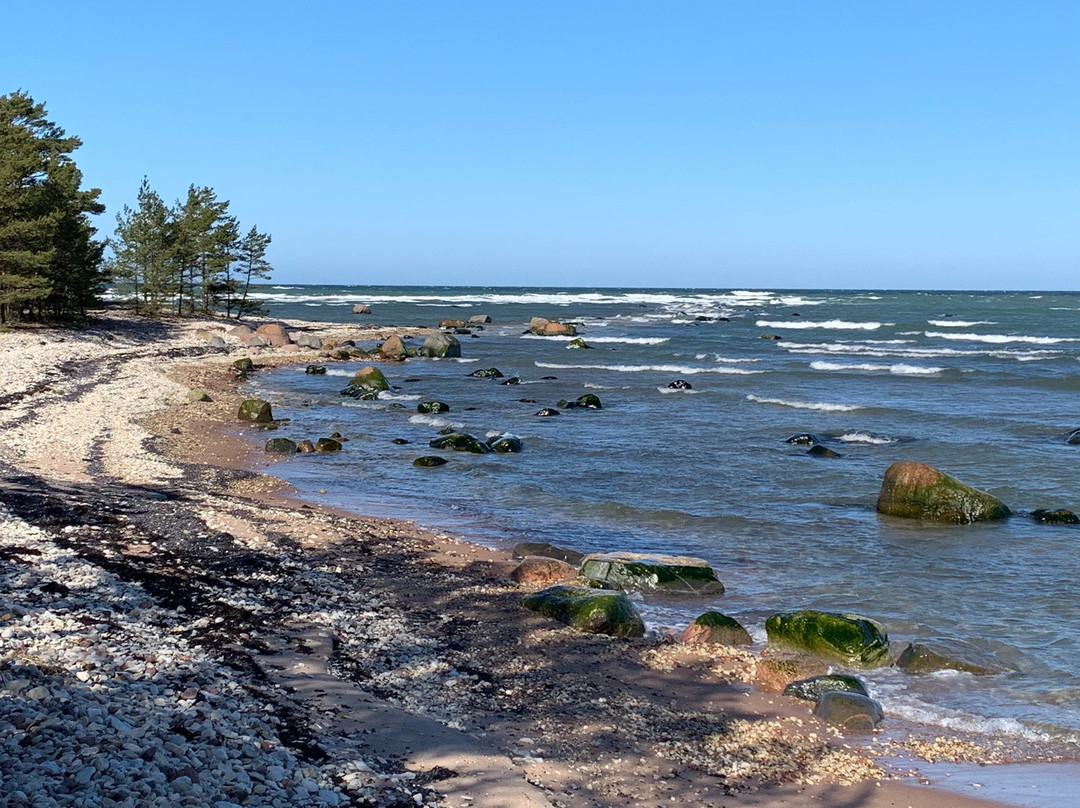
pixel 983 386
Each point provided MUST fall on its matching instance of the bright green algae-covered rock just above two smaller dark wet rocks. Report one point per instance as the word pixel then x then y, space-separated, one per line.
pixel 849 640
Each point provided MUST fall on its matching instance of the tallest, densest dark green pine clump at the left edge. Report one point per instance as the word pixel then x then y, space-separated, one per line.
pixel 50 263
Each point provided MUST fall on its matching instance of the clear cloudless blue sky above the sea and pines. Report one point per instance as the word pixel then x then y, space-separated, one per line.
pixel 931 145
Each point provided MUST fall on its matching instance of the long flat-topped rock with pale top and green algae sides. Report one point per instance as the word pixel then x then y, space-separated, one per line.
pixel 669 574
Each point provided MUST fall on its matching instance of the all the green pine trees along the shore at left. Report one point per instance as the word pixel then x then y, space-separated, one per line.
pixel 190 258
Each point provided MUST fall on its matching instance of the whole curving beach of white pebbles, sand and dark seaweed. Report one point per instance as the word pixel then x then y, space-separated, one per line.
pixel 179 630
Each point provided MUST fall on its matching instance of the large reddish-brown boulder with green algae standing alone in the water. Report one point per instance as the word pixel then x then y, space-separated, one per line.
pixel 919 491
